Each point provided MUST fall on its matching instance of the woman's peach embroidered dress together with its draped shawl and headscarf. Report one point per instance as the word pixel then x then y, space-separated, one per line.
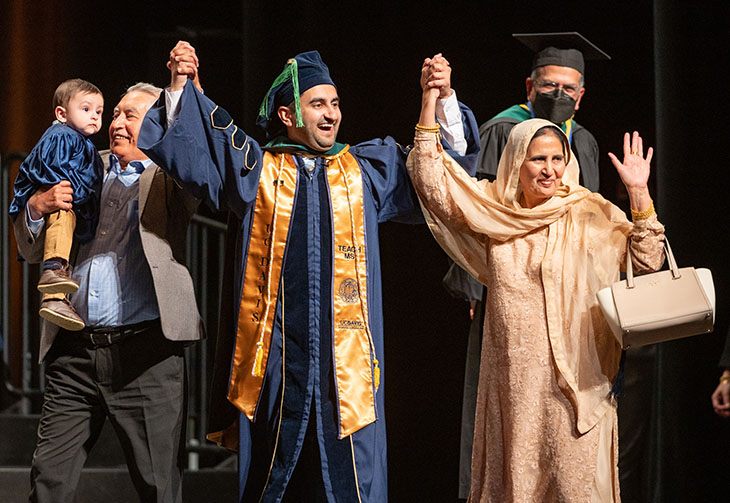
pixel 545 428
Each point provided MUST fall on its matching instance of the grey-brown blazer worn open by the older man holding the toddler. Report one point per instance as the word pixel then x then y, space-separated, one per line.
pixel 165 210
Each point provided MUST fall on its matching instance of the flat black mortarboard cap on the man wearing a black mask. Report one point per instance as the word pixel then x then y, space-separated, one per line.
pixel 561 49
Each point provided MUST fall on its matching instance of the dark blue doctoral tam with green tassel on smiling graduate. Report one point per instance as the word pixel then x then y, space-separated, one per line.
pixel 302 72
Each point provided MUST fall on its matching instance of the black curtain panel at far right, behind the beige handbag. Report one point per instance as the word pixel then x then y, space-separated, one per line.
pixel 692 445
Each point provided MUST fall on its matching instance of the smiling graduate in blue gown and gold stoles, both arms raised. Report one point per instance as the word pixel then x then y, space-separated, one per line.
pixel 304 364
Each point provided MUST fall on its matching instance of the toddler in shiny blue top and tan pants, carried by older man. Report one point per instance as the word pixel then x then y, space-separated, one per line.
pixel 65 152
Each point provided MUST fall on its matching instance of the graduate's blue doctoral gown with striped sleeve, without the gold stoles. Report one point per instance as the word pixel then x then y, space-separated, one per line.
pixel 214 164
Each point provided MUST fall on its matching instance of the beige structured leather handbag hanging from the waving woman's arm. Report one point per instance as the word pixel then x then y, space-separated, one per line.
pixel 659 306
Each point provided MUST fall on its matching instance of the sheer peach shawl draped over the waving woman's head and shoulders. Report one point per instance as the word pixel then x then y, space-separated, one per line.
pixel 587 241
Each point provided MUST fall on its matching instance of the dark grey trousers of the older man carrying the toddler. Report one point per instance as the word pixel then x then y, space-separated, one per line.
pixel 139 383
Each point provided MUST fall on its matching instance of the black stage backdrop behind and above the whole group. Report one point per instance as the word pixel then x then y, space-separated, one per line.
pixel 666 79
